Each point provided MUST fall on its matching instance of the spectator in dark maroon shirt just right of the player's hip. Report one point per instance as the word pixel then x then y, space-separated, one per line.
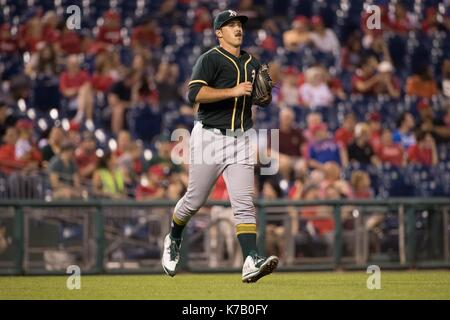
pixel 291 144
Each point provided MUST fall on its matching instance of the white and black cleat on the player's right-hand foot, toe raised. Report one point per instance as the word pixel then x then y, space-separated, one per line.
pixel 256 267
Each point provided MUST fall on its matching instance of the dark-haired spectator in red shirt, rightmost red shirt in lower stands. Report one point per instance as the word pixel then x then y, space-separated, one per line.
pixel 424 150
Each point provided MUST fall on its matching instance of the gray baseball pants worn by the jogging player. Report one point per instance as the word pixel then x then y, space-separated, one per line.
pixel 213 154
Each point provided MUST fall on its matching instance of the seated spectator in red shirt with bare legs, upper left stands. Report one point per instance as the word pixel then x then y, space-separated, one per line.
pixel 75 85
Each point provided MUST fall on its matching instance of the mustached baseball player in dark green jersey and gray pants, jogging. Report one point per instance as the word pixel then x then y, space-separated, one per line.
pixel 221 87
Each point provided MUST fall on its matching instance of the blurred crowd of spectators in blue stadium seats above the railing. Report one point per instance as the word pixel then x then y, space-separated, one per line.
pixel 89 112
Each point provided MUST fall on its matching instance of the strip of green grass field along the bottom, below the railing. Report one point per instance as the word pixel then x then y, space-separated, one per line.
pixel 326 285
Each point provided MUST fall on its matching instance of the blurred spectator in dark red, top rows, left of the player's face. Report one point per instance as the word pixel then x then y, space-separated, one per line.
pixel 146 36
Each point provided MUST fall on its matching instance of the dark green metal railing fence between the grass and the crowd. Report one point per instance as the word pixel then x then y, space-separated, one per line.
pixel 126 236
